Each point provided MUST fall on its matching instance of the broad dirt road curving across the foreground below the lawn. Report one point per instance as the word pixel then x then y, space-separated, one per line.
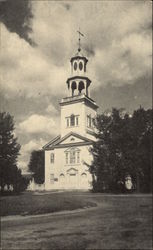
pixel 103 227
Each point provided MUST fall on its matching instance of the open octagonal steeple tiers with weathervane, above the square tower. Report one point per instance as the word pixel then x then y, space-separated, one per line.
pixel 78 83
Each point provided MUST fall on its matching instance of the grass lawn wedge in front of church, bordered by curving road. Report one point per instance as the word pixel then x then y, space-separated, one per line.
pixel 30 203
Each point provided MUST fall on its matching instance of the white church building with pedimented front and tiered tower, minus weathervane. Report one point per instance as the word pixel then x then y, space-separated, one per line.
pixel 67 154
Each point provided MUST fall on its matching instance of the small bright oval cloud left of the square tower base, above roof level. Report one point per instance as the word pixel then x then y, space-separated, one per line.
pixel 39 124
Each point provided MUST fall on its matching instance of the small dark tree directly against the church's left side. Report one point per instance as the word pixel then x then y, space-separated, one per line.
pixel 36 165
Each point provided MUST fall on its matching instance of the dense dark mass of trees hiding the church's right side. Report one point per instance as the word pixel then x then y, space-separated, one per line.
pixel 123 148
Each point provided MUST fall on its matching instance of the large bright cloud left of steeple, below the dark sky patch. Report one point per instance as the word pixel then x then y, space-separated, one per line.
pixel 25 70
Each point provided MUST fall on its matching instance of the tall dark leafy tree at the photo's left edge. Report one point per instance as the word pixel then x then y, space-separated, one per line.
pixel 9 150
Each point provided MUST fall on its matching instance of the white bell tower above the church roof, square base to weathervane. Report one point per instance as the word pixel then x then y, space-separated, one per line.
pixel 78 109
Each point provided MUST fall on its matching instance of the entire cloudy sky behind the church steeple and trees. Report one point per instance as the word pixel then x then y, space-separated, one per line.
pixel 38 38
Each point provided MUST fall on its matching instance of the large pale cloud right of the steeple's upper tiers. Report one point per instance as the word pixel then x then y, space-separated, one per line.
pixel 123 62
